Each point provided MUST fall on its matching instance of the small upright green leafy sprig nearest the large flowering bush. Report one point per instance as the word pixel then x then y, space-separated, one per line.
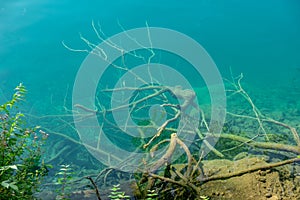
pixel 64 177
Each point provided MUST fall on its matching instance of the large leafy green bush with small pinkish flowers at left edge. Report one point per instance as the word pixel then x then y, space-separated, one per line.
pixel 21 168
